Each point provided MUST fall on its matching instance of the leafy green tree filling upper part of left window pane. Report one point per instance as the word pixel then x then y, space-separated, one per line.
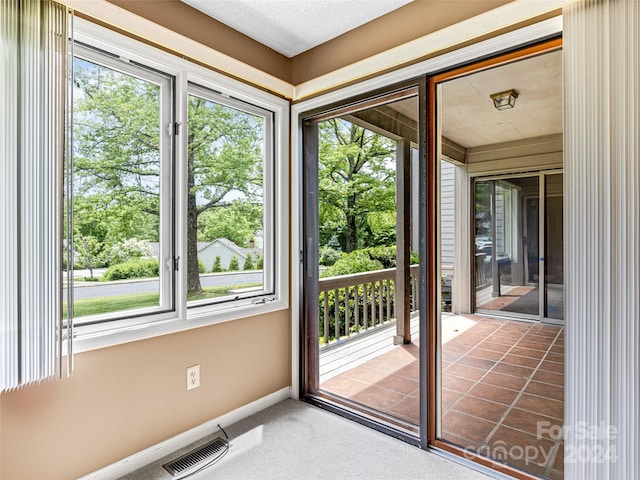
pixel 116 149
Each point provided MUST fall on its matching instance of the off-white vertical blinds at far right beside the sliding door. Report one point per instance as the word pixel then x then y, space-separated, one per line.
pixel 602 192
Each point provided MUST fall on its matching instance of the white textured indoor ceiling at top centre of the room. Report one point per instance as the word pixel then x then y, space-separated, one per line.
pixel 291 27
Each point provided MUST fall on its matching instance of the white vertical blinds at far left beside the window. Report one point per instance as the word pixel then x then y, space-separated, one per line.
pixel 32 89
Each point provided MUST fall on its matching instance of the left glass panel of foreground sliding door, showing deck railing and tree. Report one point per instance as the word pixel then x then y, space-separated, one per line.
pixel 363 309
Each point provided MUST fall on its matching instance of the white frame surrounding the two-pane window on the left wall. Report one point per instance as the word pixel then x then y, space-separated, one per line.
pixel 88 337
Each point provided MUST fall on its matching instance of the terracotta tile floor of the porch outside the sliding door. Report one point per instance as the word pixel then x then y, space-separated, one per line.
pixel 502 390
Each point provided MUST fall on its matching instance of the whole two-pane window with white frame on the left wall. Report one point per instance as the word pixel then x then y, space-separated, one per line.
pixel 171 218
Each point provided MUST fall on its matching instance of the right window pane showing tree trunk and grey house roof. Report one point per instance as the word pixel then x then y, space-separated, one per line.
pixel 226 236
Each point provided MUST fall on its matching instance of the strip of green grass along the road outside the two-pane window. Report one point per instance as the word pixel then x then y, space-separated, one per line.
pixel 97 306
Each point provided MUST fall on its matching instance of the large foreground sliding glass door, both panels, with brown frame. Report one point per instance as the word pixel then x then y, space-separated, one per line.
pixel 409 228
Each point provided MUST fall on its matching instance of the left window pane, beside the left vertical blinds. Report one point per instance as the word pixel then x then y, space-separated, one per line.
pixel 119 257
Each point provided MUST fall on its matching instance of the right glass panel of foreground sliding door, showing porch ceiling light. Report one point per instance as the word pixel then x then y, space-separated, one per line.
pixel 498 372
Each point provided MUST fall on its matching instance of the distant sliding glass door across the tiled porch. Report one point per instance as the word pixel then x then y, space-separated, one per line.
pixel 518 246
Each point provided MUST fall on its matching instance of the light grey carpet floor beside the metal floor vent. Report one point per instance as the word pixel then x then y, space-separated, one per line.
pixel 294 440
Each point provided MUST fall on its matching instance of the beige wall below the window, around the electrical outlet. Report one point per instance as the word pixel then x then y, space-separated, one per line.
pixel 123 399
